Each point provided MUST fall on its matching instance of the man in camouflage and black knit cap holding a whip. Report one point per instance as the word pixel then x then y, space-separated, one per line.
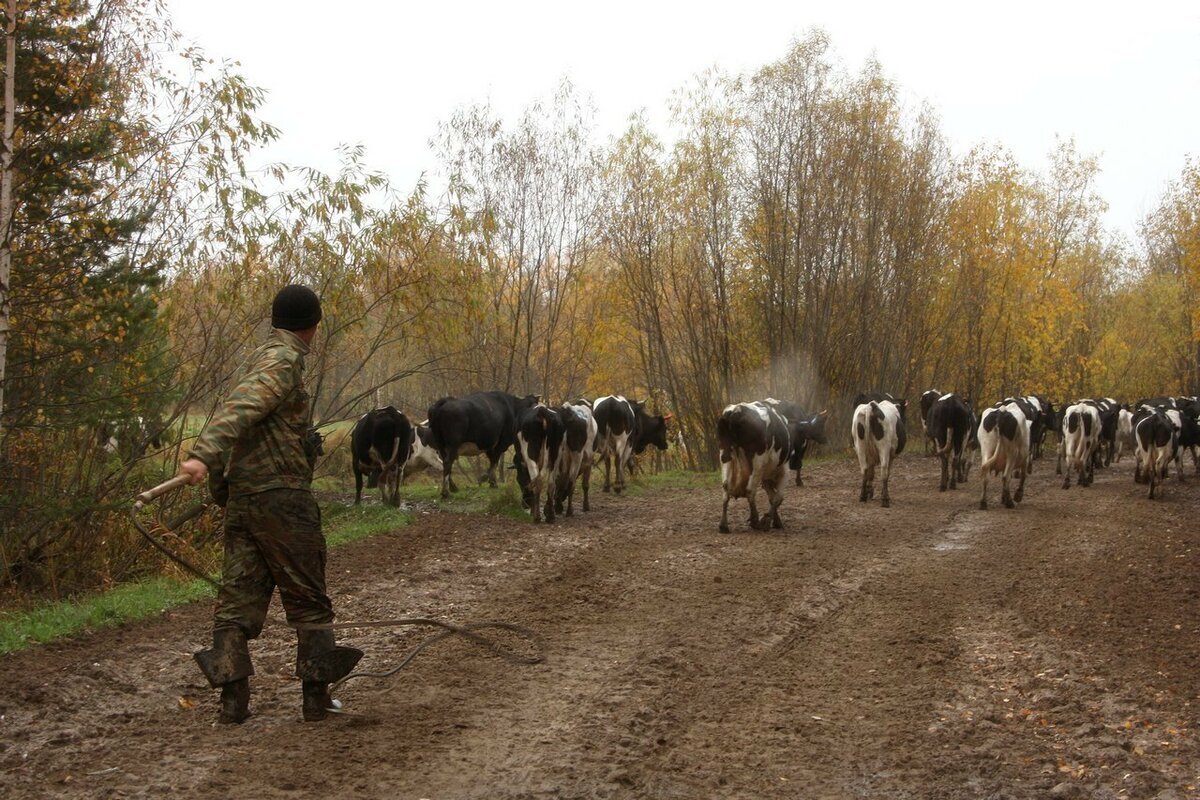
pixel 260 459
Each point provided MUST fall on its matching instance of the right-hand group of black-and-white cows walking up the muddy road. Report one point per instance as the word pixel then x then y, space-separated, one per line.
pixel 761 441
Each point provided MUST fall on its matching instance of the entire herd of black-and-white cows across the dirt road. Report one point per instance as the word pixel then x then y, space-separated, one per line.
pixel 763 442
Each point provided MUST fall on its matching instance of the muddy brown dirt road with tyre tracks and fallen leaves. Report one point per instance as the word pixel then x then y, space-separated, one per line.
pixel 927 651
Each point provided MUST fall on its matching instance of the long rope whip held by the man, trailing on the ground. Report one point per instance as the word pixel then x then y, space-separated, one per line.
pixel 448 629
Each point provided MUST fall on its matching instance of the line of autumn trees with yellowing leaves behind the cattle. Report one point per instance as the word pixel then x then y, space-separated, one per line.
pixel 807 233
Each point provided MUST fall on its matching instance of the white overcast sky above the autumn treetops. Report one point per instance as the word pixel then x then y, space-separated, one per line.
pixel 1121 79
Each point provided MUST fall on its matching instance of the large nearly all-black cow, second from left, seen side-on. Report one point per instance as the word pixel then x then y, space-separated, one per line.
pixel 479 423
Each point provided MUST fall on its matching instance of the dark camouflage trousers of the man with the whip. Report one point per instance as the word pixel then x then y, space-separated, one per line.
pixel 273 539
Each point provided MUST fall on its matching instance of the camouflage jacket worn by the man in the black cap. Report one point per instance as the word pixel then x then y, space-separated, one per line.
pixel 256 438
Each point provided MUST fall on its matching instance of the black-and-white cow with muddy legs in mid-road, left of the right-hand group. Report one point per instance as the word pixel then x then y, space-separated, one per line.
pixel 755 447
